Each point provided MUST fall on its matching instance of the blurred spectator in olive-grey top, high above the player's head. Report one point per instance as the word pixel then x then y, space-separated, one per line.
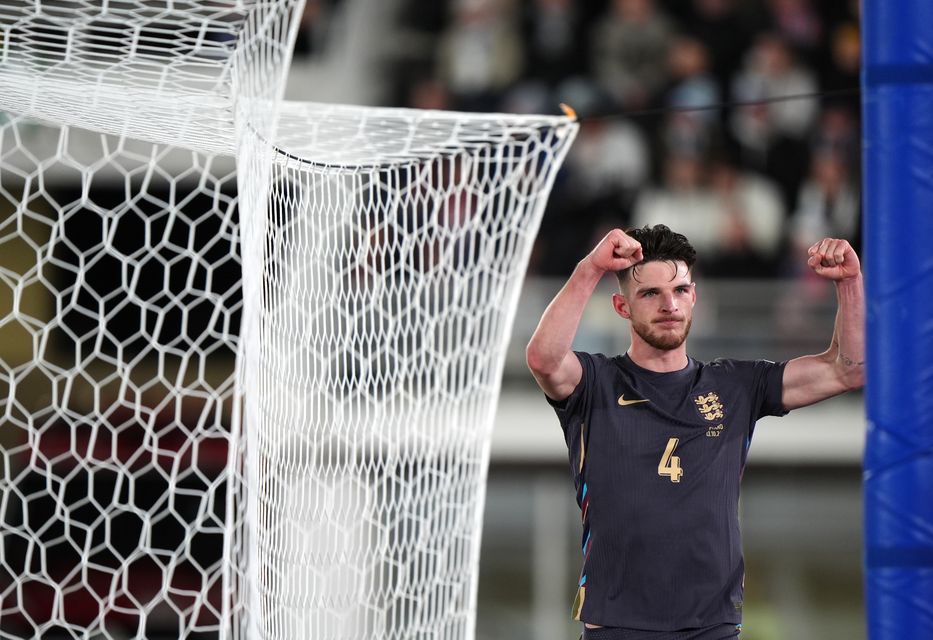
pixel 629 52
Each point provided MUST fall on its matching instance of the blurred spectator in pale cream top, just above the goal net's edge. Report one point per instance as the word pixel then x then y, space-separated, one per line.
pixel 480 54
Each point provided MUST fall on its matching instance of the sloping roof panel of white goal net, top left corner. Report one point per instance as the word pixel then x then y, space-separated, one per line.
pixel 167 71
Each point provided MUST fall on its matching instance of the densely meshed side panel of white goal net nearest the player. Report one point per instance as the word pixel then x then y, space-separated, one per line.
pixel 387 291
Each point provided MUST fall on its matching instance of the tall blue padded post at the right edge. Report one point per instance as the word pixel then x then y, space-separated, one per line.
pixel 897 100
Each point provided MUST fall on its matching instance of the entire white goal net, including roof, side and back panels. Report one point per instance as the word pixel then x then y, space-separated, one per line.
pixel 248 364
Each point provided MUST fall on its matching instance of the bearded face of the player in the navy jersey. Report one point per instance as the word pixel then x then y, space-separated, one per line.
pixel 658 300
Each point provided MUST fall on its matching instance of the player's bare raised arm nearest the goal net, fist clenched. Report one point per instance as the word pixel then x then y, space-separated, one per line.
pixel 549 353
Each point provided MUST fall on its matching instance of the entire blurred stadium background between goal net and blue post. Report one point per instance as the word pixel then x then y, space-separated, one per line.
pixel 751 183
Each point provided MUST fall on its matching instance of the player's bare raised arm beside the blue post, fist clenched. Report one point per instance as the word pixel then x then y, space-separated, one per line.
pixel 841 368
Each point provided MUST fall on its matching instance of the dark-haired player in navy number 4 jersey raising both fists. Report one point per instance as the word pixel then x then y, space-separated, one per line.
pixel 658 441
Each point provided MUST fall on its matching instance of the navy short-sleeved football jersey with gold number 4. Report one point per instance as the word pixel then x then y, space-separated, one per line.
pixel 657 460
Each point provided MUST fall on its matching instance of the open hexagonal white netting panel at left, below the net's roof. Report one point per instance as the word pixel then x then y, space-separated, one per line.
pixel 119 310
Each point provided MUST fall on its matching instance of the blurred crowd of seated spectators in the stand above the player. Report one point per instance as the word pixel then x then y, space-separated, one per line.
pixel 683 116
